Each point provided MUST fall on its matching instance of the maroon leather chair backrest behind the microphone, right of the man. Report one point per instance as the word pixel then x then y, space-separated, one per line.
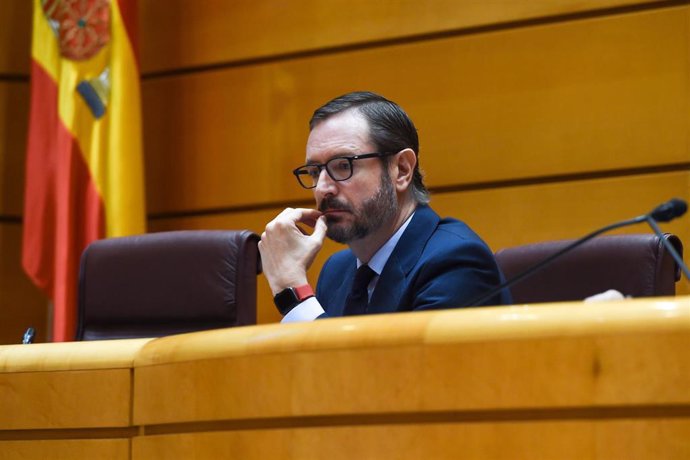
pixel 635 265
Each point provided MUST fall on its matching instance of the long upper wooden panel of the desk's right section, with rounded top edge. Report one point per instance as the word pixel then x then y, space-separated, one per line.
pixel 286 371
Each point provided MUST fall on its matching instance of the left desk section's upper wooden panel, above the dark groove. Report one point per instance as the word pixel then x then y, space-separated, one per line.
pixel 67 385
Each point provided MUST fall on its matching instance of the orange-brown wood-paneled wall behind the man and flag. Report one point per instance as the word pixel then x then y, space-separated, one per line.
pixel 537 120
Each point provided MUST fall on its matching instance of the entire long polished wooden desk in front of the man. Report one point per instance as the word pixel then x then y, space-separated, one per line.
pixel 570 380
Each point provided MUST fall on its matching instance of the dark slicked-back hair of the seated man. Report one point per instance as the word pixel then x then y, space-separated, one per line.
pixel 390 129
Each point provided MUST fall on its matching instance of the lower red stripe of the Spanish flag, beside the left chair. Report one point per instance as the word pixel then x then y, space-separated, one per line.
pixel 63 211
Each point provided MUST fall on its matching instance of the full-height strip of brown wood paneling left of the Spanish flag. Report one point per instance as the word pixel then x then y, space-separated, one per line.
pixel 21 304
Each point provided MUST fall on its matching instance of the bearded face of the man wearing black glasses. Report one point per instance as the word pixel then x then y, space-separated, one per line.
pixel 356 207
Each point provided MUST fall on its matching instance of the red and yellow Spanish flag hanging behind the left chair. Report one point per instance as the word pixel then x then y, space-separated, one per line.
pixel 84 166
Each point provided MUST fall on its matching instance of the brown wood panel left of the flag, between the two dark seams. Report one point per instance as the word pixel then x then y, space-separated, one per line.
pixel 14 116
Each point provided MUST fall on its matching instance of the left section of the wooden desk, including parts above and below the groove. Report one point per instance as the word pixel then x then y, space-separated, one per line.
pixel 67 400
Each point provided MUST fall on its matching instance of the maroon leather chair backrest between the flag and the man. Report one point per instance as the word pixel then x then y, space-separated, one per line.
pixel 167 283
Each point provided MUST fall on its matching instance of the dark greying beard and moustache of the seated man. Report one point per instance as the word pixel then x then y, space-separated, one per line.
pixel 374 213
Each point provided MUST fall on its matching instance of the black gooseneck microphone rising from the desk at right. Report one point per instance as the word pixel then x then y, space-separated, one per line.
pixel 664 212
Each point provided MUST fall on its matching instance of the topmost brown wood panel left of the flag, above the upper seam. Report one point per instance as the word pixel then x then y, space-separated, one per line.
pixel 15 37
